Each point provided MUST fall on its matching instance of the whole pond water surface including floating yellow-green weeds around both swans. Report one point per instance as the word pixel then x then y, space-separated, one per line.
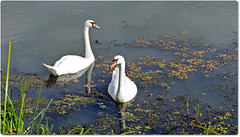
pixel 45 31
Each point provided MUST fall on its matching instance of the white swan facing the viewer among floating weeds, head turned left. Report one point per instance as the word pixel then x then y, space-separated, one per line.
pixel 121 88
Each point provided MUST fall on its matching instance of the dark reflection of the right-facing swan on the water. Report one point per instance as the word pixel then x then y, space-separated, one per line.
pixel 52 80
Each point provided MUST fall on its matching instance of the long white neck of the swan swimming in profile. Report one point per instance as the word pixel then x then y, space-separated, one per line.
pixel 88 50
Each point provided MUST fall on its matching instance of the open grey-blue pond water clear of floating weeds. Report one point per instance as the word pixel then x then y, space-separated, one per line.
pixel 42 32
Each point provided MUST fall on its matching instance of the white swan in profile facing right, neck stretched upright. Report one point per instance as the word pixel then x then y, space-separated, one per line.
pixel 70 64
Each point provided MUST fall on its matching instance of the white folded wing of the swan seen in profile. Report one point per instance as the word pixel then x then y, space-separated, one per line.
pixel 71 64
